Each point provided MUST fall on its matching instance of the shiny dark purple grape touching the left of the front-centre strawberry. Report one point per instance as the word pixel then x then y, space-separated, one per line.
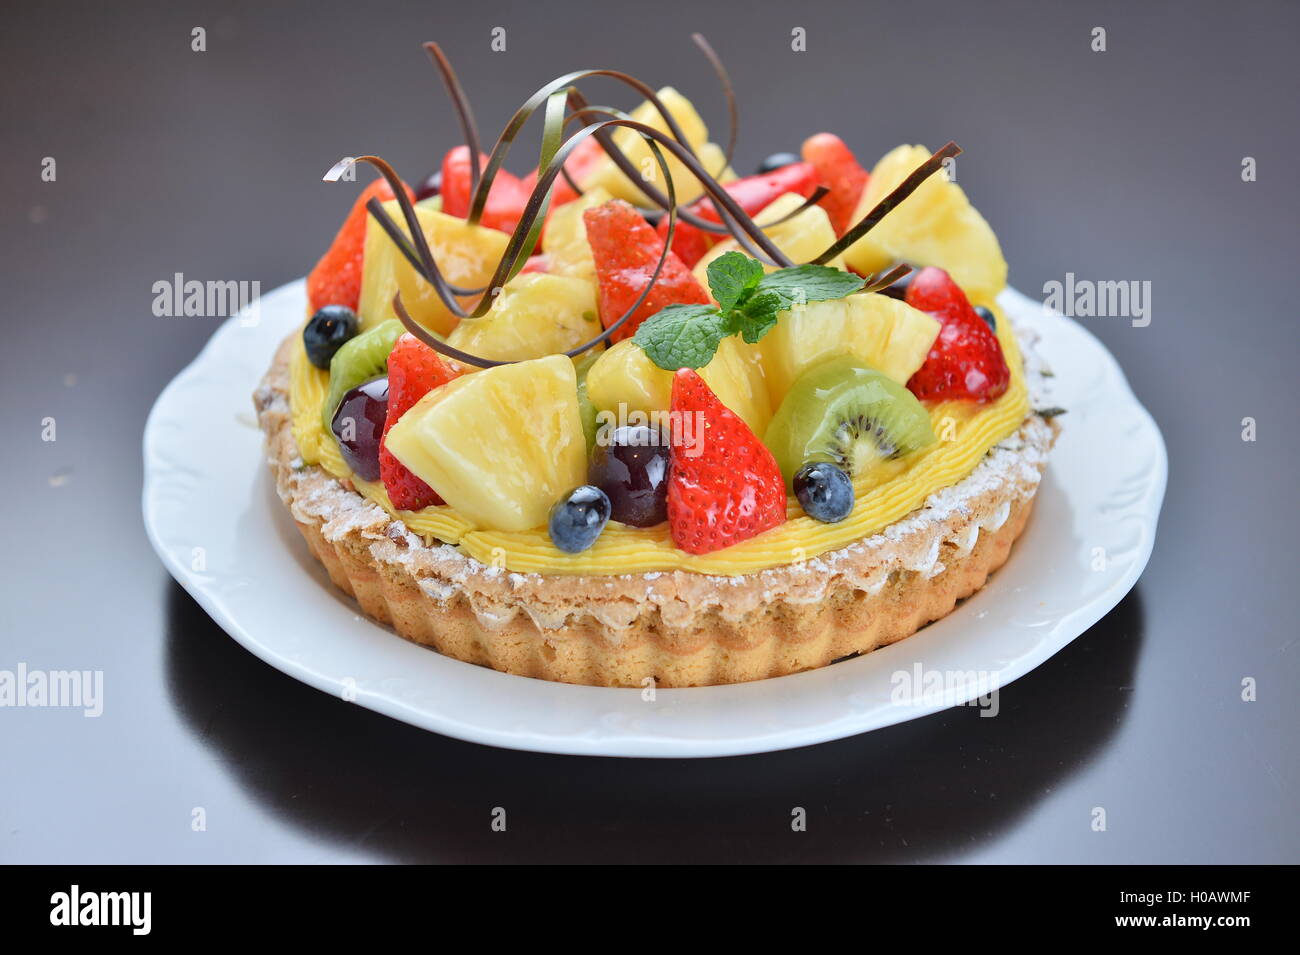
pixel 632 468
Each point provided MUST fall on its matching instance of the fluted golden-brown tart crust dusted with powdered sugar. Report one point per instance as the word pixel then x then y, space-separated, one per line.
pixel 675 628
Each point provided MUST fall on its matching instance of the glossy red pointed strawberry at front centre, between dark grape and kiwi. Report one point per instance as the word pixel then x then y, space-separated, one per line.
pixel 723 485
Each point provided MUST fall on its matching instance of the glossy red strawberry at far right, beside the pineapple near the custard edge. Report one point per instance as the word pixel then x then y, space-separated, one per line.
pixel 967 362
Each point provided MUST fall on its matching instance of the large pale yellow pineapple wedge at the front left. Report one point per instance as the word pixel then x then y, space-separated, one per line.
pixel 501 446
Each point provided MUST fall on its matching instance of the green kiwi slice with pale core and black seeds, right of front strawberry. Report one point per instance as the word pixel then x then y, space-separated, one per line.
pixel 848 414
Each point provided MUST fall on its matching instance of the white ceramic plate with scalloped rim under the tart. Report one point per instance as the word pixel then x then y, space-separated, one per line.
pixel 213 515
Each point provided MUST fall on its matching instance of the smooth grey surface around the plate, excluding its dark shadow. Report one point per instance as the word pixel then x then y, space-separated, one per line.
pixel 1117 166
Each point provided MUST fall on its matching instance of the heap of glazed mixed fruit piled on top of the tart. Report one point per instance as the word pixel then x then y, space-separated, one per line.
pixel 501 446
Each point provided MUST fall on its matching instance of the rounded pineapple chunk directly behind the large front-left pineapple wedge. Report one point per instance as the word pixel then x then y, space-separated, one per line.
pixel 536 315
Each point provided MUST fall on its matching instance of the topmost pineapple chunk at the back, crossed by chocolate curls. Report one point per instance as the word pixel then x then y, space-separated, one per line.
pixel 608 176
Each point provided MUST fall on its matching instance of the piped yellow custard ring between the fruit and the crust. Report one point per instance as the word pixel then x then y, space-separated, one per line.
pixel 967 432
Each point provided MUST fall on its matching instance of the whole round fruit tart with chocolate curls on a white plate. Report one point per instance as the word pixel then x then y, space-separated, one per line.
pixel 632 419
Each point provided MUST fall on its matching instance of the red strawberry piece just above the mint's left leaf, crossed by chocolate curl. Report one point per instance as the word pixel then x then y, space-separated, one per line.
pixel 626 250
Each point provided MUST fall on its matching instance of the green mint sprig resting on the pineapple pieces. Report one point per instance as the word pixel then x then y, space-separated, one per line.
pixel 749 303
